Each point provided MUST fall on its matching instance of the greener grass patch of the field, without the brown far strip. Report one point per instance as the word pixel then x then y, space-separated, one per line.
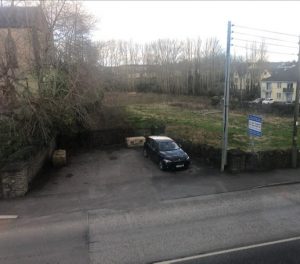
pixel 205 126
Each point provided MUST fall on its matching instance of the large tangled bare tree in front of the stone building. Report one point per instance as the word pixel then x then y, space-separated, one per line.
pixel 69 82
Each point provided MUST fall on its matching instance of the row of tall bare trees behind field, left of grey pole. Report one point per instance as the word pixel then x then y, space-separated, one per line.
pixel 171 66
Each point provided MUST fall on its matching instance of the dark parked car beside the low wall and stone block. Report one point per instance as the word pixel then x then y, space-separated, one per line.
pixel 166 153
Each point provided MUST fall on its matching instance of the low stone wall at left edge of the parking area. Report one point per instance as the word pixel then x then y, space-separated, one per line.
pixel 15 177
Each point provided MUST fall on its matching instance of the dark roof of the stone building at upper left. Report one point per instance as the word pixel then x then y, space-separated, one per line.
pixel 21 17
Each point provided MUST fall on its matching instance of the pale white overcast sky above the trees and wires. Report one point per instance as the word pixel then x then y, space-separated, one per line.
pixel 143 21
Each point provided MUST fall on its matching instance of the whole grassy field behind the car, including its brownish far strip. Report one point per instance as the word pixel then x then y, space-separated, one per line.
pixel 193 118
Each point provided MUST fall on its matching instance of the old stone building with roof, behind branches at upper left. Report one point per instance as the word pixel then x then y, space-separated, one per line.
pixel 24 47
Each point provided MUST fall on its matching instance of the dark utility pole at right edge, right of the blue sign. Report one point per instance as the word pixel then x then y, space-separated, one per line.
pixel 296 114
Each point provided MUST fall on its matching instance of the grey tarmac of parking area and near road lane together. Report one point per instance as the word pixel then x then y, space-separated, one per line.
pixel 115 206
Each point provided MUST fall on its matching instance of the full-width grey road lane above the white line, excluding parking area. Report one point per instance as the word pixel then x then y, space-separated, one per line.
pixel 167 230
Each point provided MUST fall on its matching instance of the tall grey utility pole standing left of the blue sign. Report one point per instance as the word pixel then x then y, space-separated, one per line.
pixel 226 99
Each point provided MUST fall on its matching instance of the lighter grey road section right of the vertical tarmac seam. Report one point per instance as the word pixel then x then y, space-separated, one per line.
pixel 195 226
